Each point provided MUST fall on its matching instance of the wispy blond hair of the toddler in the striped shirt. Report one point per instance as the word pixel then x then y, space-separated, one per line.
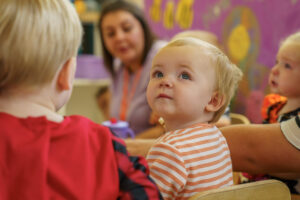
pixel 228 74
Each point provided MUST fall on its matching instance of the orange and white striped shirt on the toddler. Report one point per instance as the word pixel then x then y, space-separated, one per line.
pixel 187 161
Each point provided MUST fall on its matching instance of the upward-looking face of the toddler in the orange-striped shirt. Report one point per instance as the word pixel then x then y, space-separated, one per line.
pixel 181 83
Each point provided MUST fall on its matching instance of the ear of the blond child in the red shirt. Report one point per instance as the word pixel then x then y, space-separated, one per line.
pixel 66 75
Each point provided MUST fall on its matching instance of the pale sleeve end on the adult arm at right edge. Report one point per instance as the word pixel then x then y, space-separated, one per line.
pixel 291 130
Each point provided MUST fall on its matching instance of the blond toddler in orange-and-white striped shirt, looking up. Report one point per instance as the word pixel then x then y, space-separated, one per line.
pixel 191 84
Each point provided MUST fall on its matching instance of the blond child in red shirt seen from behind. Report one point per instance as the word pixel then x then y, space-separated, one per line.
pixel 44 155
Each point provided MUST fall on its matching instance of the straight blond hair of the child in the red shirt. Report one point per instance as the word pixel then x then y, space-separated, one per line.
pixel 37 37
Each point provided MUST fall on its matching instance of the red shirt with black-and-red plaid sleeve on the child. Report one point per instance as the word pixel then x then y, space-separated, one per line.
pixel 74 159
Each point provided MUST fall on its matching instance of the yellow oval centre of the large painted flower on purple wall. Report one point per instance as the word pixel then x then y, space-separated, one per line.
pixel 239 43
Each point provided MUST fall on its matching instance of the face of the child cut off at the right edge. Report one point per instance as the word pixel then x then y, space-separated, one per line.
pixel 285 75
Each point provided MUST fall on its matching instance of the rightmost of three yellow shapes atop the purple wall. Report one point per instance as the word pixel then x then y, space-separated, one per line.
pixel 184 13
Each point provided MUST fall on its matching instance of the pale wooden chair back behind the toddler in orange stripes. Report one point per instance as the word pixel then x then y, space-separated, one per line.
pixel 260 190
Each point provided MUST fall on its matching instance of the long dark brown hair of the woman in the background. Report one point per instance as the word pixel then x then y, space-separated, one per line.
pixel 112 6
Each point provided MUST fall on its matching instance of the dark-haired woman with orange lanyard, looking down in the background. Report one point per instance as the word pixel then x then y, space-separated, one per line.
pixel 128 46
